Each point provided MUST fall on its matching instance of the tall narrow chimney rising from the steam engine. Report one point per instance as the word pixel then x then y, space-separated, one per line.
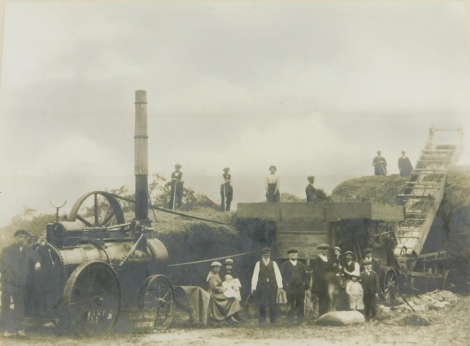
pixel 141 158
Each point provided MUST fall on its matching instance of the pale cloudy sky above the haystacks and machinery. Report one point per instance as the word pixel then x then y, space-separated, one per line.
pixel 314 88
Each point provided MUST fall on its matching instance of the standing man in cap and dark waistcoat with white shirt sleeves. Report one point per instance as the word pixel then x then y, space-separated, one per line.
pixel 267 282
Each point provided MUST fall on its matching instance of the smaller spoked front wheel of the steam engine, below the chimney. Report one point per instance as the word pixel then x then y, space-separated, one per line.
pixel 157 294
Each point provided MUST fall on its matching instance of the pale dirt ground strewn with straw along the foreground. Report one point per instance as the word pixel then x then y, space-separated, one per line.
pixel 449 326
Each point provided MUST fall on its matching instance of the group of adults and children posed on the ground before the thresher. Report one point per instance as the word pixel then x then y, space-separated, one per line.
pixel 270 283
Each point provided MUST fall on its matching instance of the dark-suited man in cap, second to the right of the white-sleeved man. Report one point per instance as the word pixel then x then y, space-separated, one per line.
pixel 322 269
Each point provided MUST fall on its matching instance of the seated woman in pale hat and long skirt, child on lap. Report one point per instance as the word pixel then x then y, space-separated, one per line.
pixel 220 307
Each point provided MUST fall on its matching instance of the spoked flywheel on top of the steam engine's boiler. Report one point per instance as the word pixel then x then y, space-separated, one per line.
pixel 97 208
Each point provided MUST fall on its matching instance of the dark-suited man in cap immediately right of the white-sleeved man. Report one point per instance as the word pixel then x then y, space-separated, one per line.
pixel 295 282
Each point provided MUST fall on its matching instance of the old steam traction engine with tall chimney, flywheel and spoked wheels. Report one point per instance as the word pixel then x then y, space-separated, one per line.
pixel 92 270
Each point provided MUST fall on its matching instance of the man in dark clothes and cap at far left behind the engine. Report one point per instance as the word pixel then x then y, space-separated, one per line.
pixel 17 263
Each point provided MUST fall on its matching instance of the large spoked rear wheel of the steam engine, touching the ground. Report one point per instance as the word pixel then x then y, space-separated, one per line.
pixel 92 297
